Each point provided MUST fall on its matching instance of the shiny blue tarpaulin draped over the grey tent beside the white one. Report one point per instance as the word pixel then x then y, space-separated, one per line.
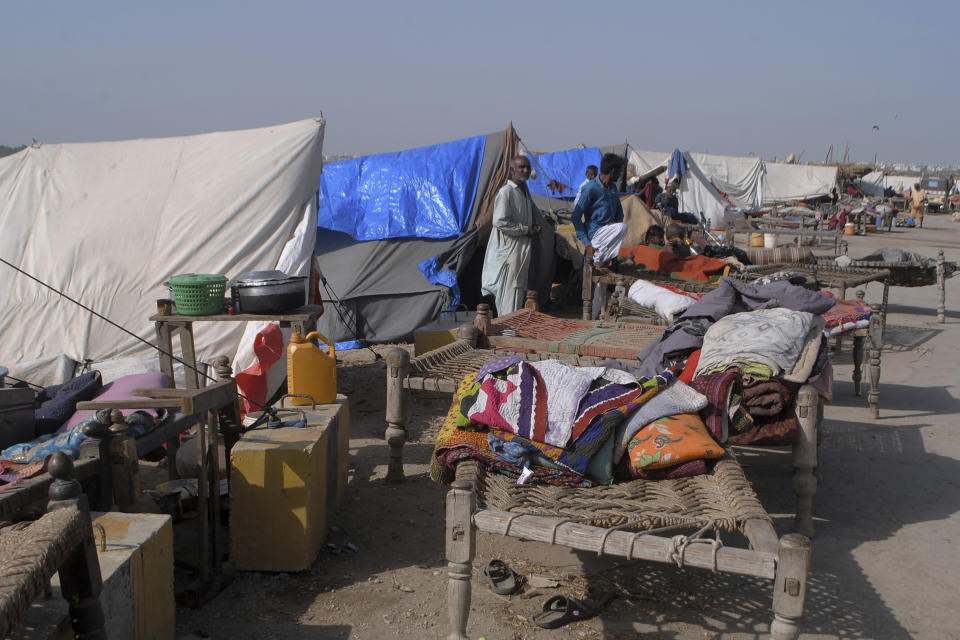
pixel 418 193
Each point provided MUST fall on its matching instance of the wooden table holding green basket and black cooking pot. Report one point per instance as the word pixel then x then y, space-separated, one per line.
pixel 303 320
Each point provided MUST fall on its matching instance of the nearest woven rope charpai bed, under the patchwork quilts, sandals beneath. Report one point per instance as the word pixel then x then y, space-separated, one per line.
pixel 662 521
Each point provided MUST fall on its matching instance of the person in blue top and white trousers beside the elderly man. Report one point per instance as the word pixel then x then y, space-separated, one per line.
pixel 598 218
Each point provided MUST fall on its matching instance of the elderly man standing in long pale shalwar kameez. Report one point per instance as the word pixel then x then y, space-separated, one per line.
pixel 506 264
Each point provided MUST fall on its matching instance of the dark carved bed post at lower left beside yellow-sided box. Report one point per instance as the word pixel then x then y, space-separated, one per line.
pixel 80 580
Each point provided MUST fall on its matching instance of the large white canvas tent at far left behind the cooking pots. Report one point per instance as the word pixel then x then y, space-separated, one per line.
pixel 107 223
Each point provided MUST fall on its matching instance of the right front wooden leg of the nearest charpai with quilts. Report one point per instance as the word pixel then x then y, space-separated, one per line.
pixel 790 586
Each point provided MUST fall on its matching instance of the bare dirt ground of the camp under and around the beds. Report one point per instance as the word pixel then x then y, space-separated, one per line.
pixel 886 562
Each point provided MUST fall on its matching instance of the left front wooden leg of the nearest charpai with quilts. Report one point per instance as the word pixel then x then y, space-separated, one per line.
pixel 460 548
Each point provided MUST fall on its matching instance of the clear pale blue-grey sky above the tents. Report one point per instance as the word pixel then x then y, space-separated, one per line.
pixel 736 78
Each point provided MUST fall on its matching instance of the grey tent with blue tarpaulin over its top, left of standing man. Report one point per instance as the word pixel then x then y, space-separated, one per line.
pixel 398 232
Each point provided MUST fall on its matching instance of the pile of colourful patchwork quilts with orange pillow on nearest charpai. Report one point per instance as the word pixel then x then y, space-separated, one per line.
pixel 554 423
